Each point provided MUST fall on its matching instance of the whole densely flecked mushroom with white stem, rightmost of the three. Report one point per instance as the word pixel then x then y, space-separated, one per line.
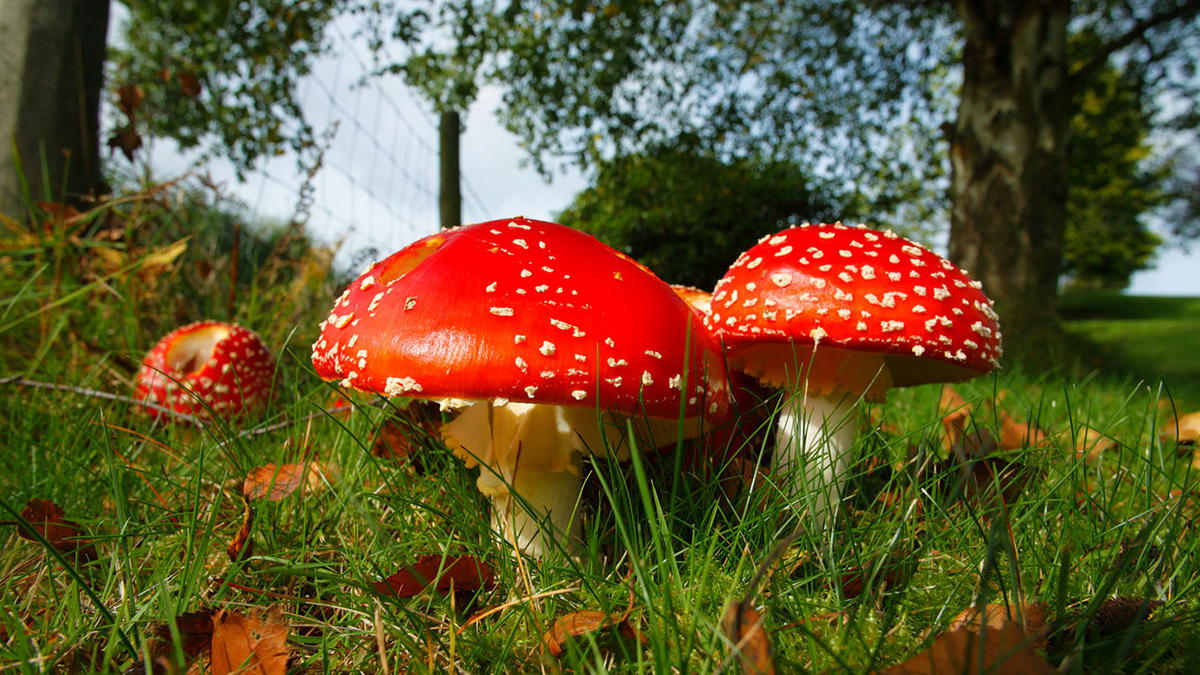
pixel 839 314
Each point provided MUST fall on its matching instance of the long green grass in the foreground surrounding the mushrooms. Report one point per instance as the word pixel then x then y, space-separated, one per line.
pixel 163 503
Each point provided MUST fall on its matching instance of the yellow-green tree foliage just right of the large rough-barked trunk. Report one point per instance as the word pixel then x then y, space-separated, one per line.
pixel 1113 188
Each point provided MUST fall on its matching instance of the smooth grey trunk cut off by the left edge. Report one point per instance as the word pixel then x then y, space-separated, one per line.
pixel 52 58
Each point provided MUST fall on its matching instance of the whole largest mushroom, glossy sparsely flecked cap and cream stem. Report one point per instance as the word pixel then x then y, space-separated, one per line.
pixel 548 341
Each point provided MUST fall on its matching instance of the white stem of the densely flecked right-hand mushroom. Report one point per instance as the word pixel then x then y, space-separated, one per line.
pixel 813 443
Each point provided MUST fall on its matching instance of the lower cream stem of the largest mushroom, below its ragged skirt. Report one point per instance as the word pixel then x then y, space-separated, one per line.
pixel 533 509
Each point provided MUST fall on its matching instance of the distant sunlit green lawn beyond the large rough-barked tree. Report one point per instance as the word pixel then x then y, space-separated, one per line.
pixel 1139 336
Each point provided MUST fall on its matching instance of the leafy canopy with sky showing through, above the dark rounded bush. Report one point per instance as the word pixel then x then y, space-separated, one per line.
pixel 844 89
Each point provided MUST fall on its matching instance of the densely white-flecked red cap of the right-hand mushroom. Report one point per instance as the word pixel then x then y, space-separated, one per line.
pixel 857 289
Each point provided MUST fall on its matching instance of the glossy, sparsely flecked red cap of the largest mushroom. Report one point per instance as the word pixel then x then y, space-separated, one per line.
pixel 523 310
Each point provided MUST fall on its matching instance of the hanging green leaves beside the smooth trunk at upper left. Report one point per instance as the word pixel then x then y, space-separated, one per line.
pixel 224 75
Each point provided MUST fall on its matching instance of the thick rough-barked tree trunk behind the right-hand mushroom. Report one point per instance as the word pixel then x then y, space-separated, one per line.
pixel 1010 162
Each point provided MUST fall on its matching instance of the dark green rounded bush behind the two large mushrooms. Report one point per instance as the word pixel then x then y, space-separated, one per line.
pixel 688 216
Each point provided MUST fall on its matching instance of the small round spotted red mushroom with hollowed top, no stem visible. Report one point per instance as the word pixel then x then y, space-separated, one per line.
pixel 208 366
